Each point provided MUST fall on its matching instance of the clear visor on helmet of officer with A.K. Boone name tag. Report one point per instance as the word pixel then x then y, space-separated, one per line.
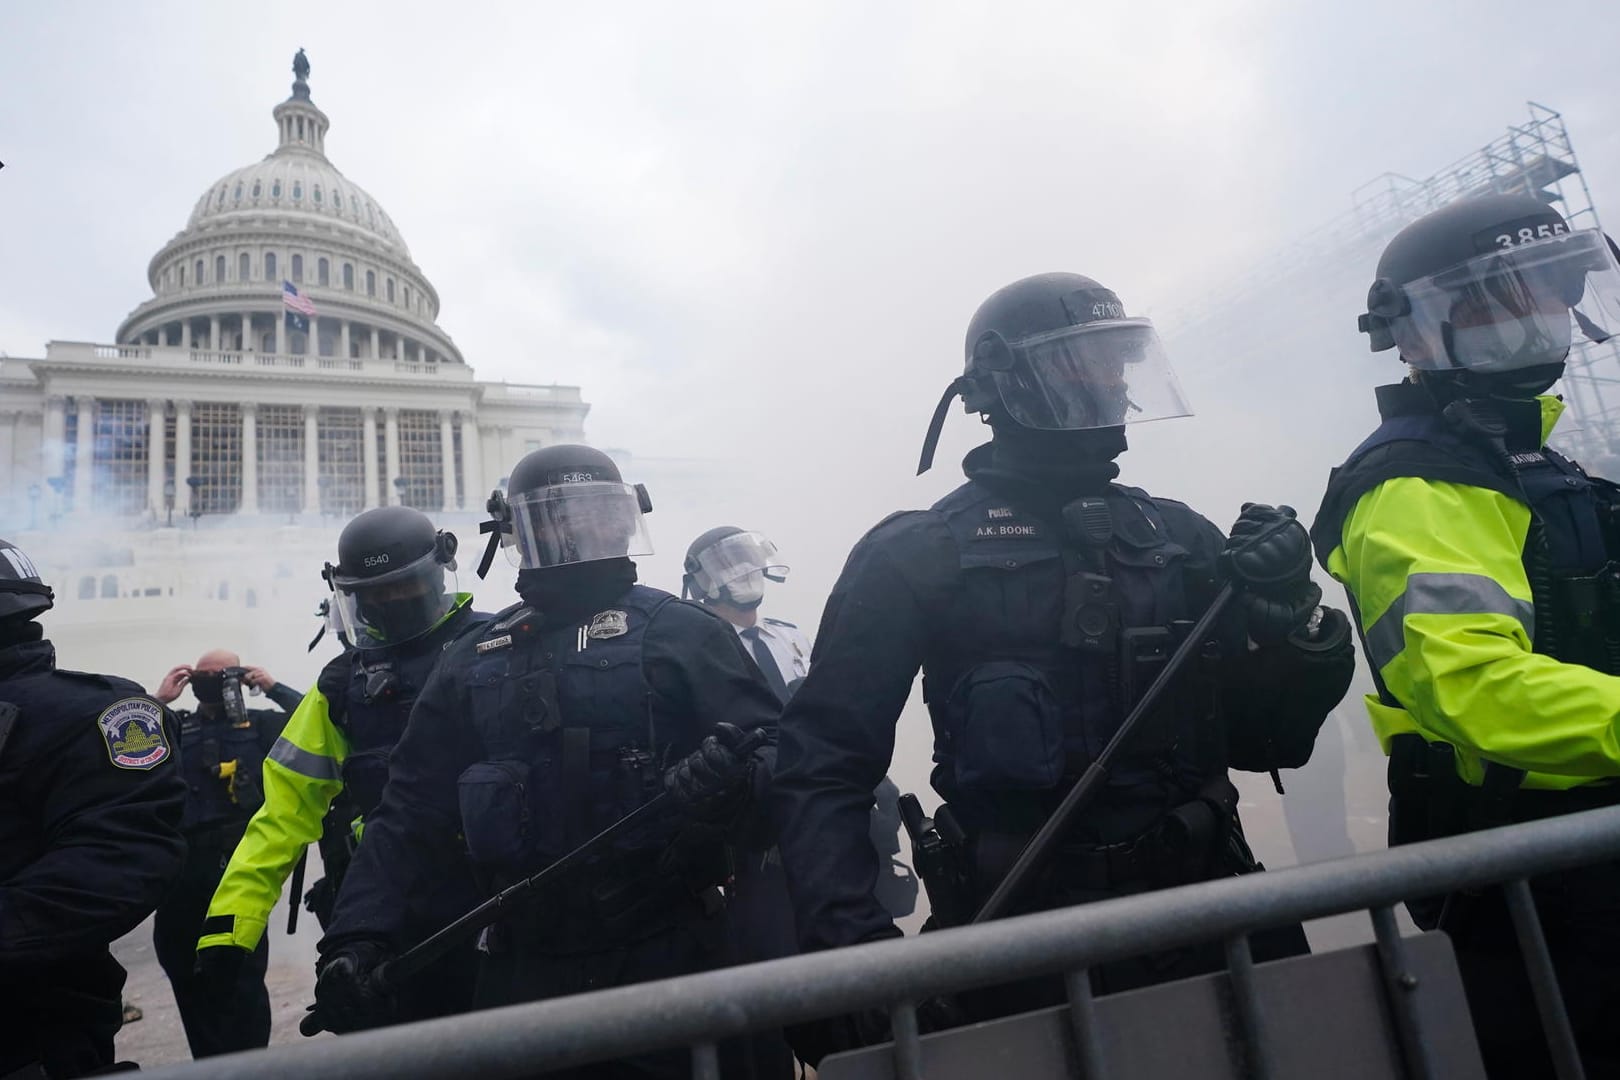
pixel 1101 375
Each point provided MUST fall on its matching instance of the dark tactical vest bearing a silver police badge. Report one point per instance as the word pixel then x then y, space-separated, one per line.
pixel 565 723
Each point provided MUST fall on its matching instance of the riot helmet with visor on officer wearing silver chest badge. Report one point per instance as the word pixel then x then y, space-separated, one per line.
pixel 563 506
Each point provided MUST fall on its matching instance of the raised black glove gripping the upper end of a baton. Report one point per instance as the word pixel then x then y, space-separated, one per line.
pixel 1269 558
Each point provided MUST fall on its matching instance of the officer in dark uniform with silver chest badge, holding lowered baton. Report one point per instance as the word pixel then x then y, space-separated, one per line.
pixel 556 720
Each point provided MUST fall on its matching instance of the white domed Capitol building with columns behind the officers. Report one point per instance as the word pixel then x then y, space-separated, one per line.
pixel 231 399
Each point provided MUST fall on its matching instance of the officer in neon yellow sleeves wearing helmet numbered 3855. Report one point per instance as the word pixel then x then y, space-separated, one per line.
pixel 1481 569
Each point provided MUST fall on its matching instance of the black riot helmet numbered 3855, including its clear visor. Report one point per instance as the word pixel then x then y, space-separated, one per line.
pixel 1490 294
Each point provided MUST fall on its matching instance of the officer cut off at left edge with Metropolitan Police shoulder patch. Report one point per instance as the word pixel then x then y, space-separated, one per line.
pixel 90 838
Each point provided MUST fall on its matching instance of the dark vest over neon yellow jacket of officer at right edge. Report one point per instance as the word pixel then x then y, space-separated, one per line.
pixel 1567 556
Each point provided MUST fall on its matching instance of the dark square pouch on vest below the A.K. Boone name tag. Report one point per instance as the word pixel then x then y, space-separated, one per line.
pixel 1007 729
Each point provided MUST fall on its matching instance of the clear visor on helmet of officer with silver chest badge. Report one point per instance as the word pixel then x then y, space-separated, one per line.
pixel 568 524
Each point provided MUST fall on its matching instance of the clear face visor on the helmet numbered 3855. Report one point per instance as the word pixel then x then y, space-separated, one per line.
pixel 1512 308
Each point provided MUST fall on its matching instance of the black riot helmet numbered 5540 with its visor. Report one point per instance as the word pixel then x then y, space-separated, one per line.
pixel 394 577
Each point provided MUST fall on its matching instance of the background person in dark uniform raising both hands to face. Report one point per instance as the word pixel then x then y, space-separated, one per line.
pixel 223 747
